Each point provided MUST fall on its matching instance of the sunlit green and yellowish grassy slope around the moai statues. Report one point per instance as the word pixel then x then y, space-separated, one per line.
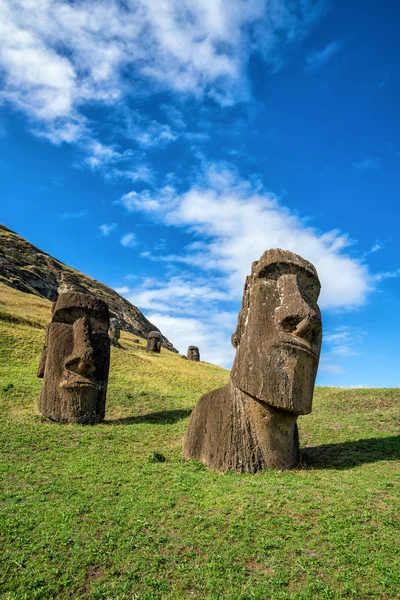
pixel 88 512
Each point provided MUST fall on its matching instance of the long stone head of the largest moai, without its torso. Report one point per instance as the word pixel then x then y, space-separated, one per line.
pixel 279 332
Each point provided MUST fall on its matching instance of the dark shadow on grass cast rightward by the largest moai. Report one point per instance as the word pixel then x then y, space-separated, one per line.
pixel 351 454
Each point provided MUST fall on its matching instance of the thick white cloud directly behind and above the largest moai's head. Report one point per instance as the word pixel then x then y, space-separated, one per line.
pixel 237 220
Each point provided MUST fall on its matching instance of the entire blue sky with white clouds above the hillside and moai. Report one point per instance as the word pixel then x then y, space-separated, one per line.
pixel 162 146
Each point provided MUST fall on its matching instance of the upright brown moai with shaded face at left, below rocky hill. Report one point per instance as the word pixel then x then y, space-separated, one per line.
pixel 75 360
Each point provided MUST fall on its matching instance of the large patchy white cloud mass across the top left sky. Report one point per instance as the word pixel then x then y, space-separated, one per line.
pixel 57 57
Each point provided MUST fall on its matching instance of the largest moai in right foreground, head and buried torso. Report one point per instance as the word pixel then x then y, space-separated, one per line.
pixel 250 424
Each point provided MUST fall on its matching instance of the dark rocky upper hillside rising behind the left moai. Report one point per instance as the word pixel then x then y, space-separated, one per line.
pixel 28 269
